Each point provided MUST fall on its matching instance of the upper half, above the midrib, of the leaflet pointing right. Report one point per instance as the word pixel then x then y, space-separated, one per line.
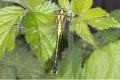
pixel 95 13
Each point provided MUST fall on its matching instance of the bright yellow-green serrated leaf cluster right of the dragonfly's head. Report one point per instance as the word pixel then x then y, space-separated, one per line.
pixel 95 17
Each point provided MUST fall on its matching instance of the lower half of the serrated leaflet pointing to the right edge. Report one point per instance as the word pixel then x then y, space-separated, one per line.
pixel 103 23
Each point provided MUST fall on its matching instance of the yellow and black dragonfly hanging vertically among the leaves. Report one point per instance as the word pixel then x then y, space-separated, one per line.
pixel 60 25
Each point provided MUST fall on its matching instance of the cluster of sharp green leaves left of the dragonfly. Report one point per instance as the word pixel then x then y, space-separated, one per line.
pixel 38 20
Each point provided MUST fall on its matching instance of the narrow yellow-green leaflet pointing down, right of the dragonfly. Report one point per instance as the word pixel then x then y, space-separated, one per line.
pixel 81 28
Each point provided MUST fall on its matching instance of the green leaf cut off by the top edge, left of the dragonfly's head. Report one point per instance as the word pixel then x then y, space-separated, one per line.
pixel 39 6
